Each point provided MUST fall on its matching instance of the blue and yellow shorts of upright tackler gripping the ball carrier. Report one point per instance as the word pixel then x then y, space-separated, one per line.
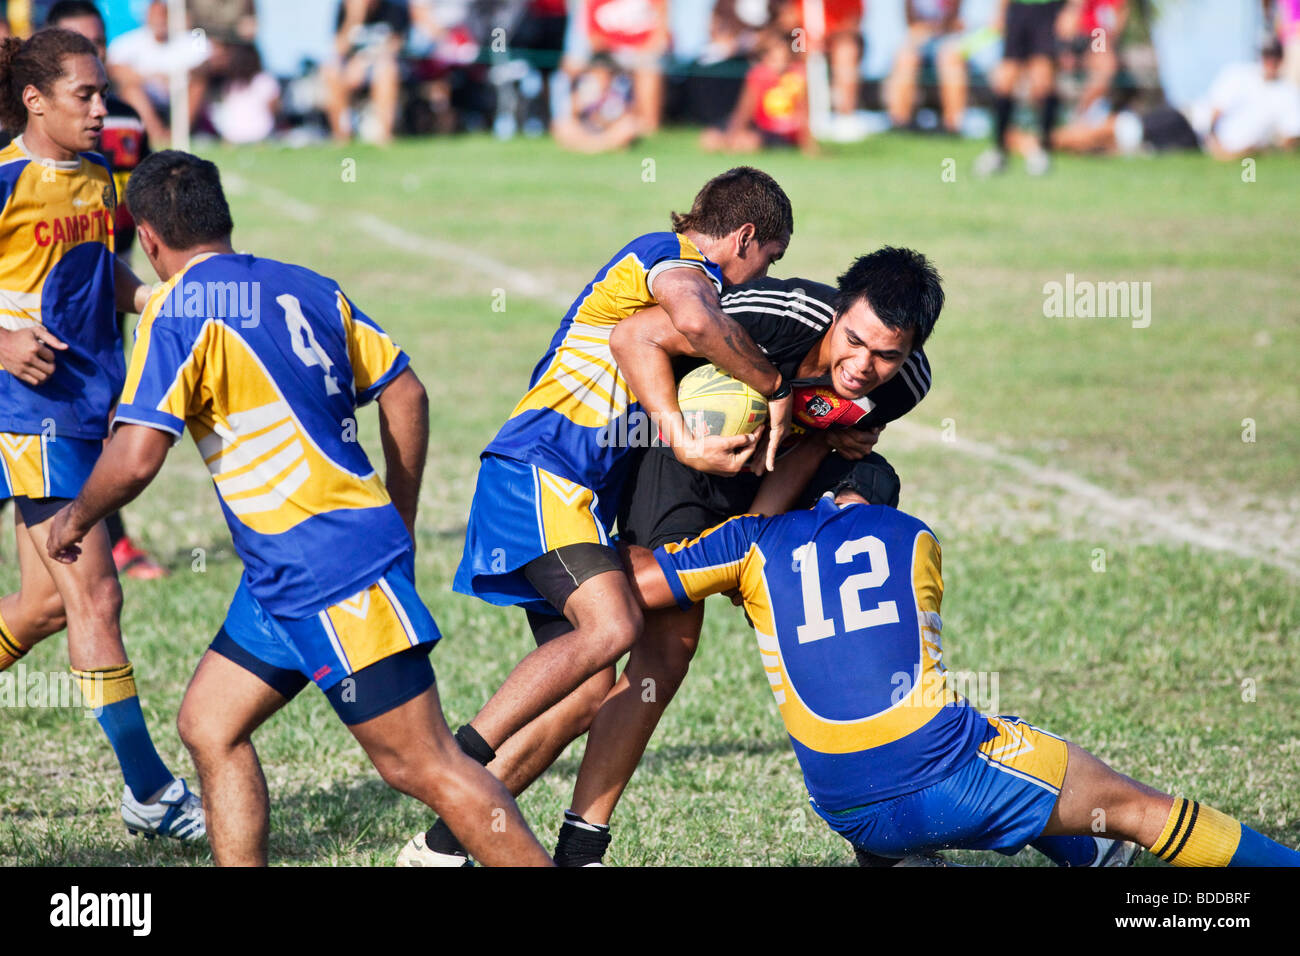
pixel 519 514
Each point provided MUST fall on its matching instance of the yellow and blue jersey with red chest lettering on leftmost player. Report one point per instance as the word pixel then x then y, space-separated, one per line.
pixel 57 270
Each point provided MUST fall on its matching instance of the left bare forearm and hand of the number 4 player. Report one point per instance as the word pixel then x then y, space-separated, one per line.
pixel 129 464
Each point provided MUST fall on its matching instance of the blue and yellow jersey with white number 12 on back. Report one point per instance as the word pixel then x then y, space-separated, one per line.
pixel 846 612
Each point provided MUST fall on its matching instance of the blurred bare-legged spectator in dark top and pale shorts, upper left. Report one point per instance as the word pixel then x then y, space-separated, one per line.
pixel 371 37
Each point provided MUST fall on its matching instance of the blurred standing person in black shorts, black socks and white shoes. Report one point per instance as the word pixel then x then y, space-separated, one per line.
pixel 1029 49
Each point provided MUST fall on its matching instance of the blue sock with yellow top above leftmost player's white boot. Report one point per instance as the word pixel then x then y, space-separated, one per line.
pixel 111 691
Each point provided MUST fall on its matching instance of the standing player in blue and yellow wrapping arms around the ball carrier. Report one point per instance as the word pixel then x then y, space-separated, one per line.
pixel 551 483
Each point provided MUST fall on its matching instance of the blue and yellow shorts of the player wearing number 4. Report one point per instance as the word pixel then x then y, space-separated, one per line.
pixel 378 624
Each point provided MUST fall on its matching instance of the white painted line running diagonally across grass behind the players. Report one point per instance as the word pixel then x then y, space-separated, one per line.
pixel 1137 511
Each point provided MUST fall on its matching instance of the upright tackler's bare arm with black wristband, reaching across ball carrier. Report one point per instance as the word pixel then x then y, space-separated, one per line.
pixel 692 304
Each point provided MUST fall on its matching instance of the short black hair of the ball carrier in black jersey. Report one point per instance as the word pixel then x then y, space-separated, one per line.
pixel 902 287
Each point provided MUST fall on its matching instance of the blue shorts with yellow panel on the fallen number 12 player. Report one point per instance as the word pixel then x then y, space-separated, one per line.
pixel 1000 799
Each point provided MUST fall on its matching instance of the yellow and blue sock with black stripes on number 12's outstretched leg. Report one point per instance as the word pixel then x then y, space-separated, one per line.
pixel 1199 836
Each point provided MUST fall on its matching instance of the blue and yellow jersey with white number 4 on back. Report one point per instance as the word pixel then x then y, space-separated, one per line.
pixel 267 364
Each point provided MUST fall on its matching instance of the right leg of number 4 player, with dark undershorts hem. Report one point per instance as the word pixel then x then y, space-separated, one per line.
pixel 415 754
